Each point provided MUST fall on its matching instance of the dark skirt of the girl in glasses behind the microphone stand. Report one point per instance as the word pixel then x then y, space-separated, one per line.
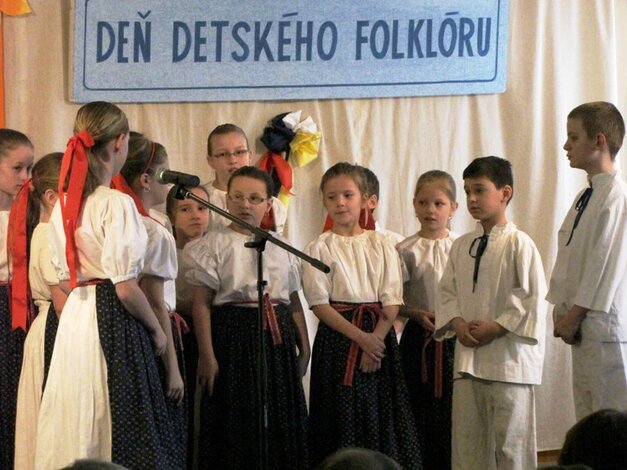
pixel 228 433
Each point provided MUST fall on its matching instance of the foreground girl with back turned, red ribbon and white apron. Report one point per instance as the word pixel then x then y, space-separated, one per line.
pixel 103 397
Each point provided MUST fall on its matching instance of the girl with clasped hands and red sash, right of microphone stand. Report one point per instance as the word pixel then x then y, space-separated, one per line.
pixel 358 394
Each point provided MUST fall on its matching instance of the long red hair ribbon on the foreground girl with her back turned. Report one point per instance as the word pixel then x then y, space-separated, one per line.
pixel 75 164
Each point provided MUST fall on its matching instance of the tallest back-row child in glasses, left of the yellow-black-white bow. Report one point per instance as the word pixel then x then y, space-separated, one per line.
pixel 228 150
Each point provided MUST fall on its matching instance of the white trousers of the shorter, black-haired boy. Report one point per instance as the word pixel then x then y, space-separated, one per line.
pixel 494 426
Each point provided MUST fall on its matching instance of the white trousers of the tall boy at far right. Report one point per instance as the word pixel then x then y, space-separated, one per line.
pixel 599 376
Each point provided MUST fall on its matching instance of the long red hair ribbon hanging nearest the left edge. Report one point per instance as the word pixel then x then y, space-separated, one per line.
pixel 22 312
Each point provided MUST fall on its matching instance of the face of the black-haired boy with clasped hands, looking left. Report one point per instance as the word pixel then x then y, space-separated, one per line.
pixel 486 202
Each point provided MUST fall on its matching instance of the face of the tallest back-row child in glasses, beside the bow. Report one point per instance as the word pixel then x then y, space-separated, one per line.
pixel 228 153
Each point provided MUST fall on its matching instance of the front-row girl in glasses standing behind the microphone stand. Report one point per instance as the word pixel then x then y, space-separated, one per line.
pixel 225 317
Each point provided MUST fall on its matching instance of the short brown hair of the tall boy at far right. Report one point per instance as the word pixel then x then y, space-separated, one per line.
pixel 601 117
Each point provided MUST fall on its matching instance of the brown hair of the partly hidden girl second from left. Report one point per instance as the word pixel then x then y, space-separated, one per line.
pixel 45 175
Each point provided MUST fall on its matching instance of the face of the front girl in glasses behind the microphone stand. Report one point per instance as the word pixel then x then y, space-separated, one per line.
pixel 248 199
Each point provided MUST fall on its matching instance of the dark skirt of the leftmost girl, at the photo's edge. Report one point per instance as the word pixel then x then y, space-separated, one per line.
pixel 11 353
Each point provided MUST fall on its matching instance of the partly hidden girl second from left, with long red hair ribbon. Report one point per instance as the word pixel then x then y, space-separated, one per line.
pixel 35 202
